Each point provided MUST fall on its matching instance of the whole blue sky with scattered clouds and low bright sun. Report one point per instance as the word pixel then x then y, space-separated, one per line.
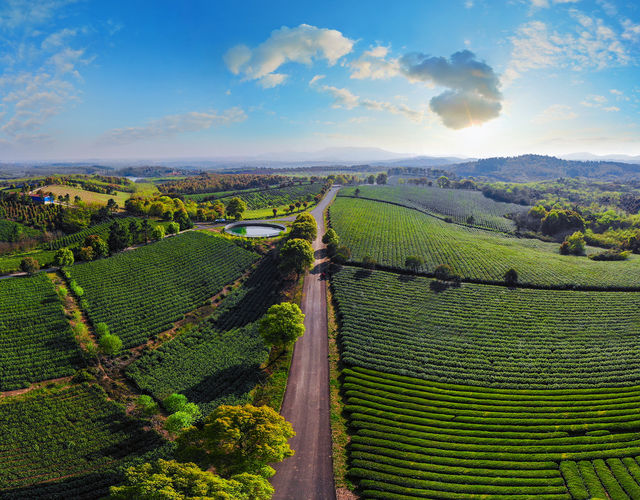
pixel 84 79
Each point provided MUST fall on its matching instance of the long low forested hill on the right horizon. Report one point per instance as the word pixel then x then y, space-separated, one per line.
pixel 537 168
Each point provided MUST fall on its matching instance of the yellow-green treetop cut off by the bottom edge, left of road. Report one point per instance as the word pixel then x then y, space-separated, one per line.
pixel 171 480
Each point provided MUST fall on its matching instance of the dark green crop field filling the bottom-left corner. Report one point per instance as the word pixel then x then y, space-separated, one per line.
pixel 72 433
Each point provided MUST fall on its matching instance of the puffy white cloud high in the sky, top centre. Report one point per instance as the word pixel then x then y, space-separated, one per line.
pixel 302 44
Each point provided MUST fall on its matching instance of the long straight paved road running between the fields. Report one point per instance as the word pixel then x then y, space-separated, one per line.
pixel 308 475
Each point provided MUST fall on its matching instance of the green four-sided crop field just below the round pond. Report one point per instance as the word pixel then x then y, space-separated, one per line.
pixel 140 293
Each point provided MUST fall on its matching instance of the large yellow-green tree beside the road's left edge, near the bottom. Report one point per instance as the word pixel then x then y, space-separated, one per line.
pixel 237 439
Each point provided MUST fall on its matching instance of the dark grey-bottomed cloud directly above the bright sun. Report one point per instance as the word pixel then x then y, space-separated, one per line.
pixel 473 97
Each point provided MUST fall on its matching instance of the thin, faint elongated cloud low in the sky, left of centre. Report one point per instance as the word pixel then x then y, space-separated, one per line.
pixel 171 125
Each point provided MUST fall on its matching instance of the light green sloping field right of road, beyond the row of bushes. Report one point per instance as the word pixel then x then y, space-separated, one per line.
pixel 390 234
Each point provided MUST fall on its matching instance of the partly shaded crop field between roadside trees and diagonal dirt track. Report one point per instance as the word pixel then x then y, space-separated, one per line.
pixel 219 362
